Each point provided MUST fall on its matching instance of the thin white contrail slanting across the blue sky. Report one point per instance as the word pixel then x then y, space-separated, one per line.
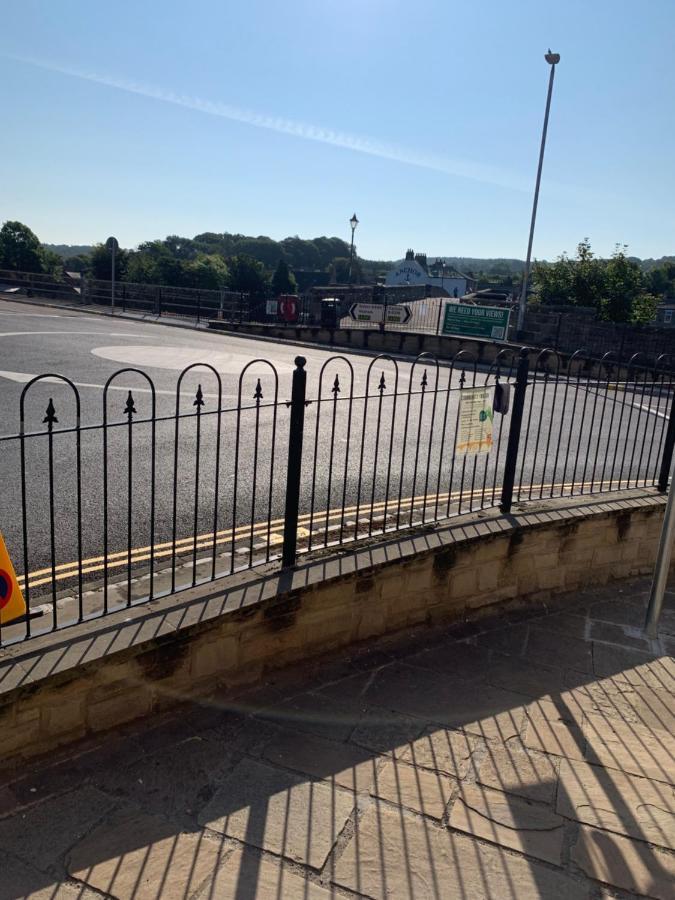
pixel 303 130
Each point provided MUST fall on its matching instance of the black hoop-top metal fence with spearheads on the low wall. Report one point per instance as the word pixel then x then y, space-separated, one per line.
pixel 163 493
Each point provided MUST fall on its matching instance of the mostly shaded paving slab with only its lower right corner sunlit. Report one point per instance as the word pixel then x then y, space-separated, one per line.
pixel 351 767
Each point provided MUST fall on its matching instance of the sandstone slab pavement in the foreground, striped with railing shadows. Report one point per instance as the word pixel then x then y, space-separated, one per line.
pixel 526 756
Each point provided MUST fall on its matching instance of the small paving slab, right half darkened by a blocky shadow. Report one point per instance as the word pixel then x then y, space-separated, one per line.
pixel 509 821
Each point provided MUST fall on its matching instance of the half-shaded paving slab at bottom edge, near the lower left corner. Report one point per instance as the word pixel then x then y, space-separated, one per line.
pixel 136 856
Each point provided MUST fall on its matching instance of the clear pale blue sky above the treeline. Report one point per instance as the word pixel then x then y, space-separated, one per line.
pixel 269 118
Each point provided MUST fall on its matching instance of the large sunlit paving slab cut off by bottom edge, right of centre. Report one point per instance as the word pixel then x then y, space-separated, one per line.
pixel 397 855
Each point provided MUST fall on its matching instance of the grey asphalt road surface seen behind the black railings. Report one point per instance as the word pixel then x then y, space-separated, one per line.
pixel 601 436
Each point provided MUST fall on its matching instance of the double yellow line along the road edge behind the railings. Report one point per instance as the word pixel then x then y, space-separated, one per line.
pixel 122 558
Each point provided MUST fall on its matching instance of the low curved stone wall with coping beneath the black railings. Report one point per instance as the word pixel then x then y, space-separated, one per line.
pixel 61 687
